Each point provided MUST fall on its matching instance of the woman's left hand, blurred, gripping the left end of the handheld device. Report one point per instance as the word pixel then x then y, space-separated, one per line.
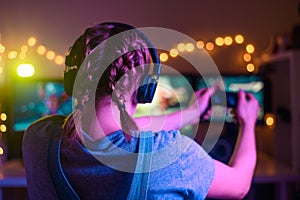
pixel 202 101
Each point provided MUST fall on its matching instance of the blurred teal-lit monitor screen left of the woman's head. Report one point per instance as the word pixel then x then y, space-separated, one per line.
pixel 37 98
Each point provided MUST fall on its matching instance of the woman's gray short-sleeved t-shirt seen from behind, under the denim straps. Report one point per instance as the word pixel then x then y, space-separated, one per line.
pixel 102 169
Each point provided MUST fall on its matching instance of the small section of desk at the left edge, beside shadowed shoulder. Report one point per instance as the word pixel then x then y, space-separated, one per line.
pixel 12 175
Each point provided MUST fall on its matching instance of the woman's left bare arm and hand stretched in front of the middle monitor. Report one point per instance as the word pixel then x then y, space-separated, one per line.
pixel 178 119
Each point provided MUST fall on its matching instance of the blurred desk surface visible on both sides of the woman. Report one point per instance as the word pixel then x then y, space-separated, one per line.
pixel 12 174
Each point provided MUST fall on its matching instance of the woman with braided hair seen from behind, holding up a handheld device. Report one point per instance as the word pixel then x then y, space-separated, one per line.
pixel 99 152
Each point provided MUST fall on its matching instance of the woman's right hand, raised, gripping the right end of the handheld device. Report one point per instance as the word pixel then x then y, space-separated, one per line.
pixel 247 108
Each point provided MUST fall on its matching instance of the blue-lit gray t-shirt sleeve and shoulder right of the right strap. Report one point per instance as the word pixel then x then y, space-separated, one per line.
pixel 183 168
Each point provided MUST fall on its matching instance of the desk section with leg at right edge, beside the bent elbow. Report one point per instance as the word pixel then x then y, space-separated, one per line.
pixel 269 171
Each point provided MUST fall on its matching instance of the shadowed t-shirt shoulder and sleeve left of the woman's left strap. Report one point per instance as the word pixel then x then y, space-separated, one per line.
pixel 35 154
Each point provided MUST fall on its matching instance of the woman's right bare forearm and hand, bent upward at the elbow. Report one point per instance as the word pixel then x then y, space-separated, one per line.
pixel 234 180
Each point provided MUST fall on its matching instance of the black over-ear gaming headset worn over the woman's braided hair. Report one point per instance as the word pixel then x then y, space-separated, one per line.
pixel 76 56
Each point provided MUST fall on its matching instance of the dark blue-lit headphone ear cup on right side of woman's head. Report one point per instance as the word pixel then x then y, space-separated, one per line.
pixel 147 90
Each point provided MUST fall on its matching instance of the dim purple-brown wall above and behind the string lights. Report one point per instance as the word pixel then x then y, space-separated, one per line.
pixel 57 23
